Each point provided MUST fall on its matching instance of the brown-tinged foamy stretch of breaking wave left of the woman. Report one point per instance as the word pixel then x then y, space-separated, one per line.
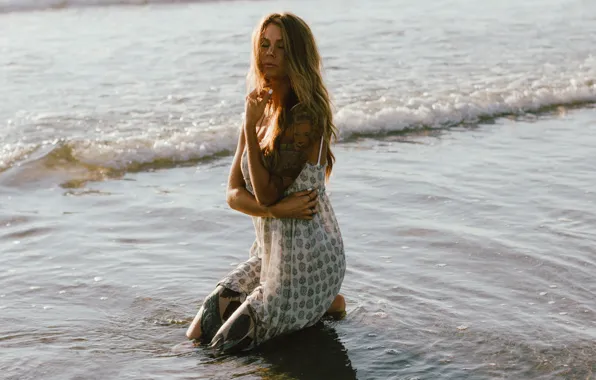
pixel 73 163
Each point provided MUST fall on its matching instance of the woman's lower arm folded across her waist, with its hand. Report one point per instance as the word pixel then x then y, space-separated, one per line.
pixel 299 205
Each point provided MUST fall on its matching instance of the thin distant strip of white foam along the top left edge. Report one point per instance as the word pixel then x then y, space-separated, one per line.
pixel 9 6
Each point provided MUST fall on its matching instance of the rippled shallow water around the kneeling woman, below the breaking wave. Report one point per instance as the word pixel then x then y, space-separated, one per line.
pixel 477 267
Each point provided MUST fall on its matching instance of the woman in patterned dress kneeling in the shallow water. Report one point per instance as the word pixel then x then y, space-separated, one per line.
pixel 297 264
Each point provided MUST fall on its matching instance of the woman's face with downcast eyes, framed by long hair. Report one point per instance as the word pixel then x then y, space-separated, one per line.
pixel 271 53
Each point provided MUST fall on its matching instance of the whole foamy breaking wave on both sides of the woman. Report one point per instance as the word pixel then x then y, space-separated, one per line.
pixel 126 154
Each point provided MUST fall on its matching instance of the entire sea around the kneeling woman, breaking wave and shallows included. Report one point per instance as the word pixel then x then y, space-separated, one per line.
pixel 470 238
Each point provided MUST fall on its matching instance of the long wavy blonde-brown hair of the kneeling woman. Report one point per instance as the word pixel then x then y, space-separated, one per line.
pixel 308 98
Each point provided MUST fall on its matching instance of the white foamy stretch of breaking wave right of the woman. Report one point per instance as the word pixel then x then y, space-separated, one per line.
pixel 443 110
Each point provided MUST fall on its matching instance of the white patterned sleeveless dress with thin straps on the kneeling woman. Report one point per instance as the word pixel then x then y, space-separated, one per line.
pixel 294 271
